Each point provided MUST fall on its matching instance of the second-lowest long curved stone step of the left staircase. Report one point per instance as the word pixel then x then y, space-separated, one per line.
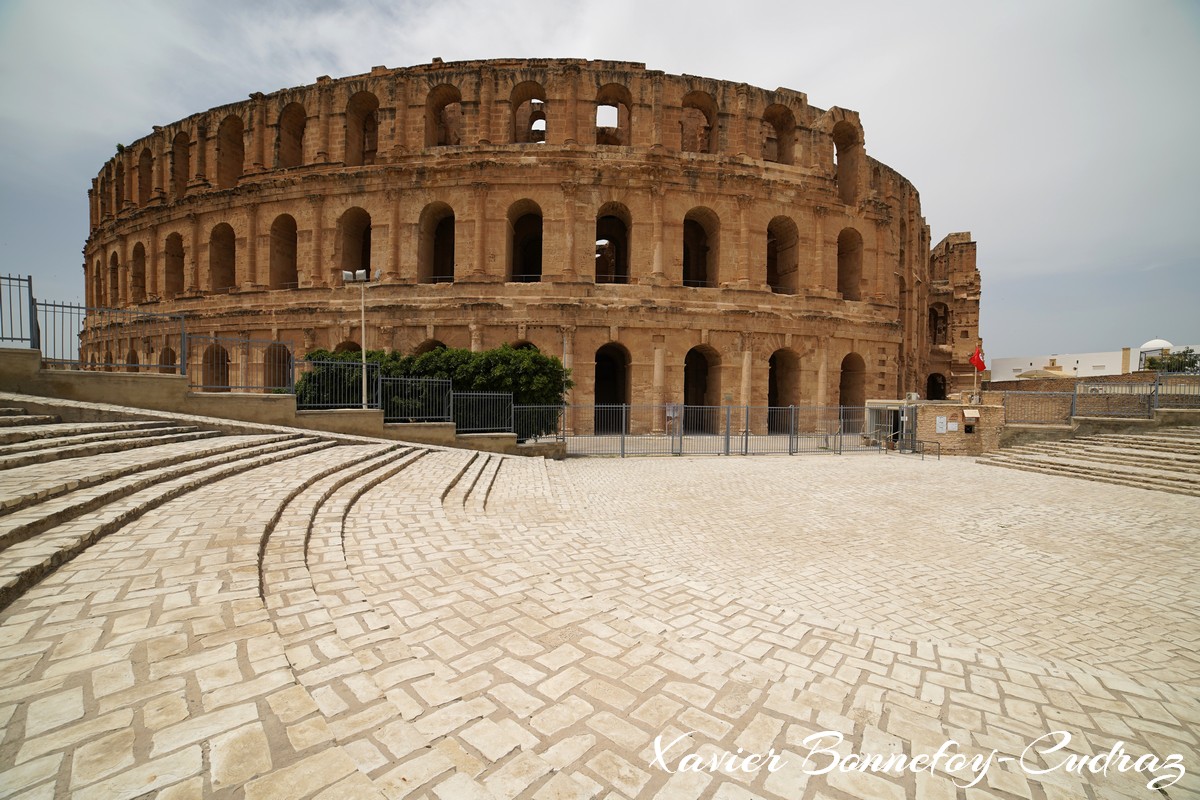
pixel 29 522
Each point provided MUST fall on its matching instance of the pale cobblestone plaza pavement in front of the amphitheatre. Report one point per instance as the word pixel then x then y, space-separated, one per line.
pixel 374 623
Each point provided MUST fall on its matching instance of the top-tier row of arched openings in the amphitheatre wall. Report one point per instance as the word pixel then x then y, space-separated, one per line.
pixel 531 117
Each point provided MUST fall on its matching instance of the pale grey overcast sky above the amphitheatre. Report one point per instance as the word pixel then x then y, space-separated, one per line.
pixel 1061 134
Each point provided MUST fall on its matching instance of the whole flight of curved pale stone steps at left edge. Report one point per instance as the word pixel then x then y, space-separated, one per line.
pixel 67 485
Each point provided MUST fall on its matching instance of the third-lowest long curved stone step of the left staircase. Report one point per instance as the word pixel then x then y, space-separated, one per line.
pixel 23 491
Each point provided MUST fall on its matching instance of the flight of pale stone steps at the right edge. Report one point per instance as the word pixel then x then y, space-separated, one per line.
pixel 1167 460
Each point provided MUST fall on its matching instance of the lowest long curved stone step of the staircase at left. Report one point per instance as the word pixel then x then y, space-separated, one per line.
pixel 27 563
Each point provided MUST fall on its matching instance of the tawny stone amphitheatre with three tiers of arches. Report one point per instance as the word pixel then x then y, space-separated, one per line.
pixel 753 252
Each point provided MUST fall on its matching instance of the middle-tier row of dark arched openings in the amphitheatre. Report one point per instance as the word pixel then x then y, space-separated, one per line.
pixel 436 254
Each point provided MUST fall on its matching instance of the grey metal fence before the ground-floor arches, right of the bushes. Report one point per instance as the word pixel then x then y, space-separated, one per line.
pixel 675 430
